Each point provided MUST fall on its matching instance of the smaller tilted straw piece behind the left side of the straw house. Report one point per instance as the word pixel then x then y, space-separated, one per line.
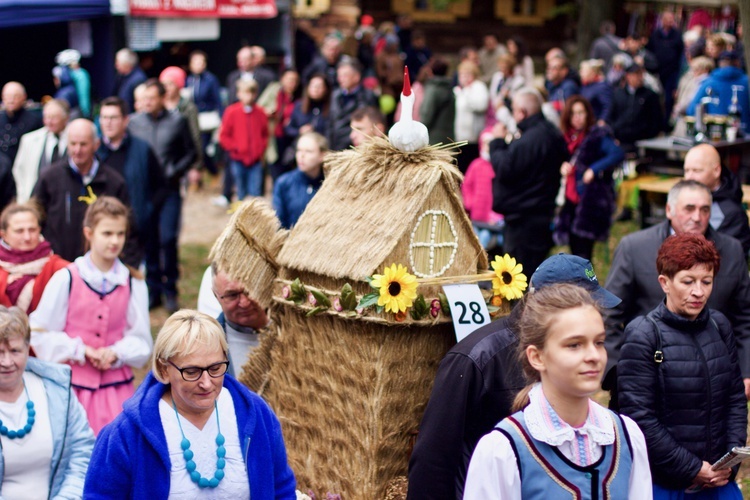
pixel 247 247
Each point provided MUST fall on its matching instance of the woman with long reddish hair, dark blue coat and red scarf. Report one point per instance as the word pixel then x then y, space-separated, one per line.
pixel 586 215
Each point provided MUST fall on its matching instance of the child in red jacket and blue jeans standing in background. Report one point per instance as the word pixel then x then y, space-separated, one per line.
pixel 244 135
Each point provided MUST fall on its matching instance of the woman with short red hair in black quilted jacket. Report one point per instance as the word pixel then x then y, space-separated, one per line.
pixel 679 378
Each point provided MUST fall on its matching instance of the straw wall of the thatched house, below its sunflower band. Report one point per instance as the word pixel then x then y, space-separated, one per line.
pixel 348 419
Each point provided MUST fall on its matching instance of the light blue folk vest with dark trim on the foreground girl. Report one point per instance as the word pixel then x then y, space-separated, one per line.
pixel 547 475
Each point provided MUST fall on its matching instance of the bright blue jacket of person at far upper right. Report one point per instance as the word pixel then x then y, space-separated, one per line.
pixel 720 81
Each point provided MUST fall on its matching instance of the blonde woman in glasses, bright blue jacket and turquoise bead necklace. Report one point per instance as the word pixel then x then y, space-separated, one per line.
pixel 191 431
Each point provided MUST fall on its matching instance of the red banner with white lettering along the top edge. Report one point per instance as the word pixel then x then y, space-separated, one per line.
pixel 257 9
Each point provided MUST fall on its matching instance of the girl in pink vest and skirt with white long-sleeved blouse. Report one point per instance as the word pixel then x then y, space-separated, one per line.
pixel 94 316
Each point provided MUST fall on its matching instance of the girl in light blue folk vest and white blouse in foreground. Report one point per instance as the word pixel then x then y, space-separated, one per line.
pixel 560 443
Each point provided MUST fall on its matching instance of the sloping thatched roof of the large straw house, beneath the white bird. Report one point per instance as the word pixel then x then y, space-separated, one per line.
pixel 366 205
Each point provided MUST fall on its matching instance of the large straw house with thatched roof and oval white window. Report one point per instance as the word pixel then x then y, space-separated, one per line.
pixel 350 386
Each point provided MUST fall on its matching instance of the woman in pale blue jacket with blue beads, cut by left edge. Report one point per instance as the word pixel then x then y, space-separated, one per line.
pixel 45 435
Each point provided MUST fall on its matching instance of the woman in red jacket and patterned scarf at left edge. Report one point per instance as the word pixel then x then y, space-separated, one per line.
pixel 26 261
